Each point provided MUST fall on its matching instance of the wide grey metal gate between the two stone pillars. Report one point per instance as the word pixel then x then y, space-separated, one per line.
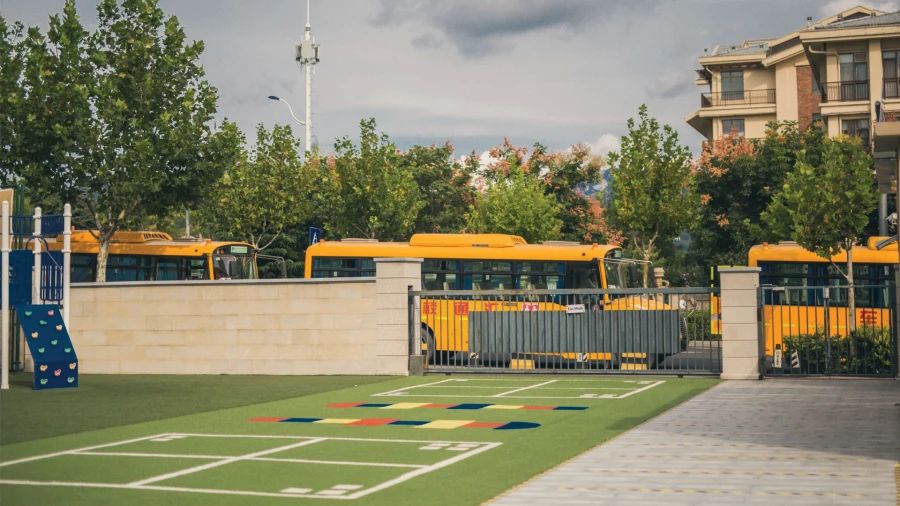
pixel 566 331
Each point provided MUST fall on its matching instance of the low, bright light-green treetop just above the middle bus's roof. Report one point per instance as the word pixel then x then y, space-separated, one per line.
pixel 516 204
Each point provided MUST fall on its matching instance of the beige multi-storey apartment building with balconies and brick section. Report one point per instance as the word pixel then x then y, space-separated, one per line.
pixel 842 71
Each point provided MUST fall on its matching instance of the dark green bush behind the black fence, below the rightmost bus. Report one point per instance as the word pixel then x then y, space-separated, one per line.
pixel 817 356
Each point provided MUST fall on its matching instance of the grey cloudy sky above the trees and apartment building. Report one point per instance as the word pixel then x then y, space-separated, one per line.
pixel 471 71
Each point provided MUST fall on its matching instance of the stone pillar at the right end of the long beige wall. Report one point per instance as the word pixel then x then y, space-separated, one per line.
pixel 394 278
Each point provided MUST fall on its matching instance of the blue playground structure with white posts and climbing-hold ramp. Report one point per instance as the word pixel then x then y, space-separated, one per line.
pixel 36 282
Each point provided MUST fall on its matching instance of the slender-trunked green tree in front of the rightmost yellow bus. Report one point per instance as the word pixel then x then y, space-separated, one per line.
pixel 825 204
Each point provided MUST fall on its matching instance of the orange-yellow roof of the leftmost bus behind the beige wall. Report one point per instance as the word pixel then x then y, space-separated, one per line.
pixel 127 242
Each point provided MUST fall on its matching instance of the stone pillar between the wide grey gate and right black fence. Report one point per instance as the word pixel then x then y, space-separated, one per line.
pixel 740 328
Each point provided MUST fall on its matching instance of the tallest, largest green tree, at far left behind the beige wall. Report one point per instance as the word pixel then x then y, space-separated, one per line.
pixel 120 118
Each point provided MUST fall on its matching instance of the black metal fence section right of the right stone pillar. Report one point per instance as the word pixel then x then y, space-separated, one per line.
pixel 810 331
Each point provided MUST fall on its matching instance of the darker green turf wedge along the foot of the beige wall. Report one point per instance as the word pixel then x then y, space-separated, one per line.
pixel 103 401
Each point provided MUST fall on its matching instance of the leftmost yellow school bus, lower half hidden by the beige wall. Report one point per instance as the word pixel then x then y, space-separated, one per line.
pixel 155 256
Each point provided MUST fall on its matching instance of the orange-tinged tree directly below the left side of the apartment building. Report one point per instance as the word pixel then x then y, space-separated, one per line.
pixel 736 179
